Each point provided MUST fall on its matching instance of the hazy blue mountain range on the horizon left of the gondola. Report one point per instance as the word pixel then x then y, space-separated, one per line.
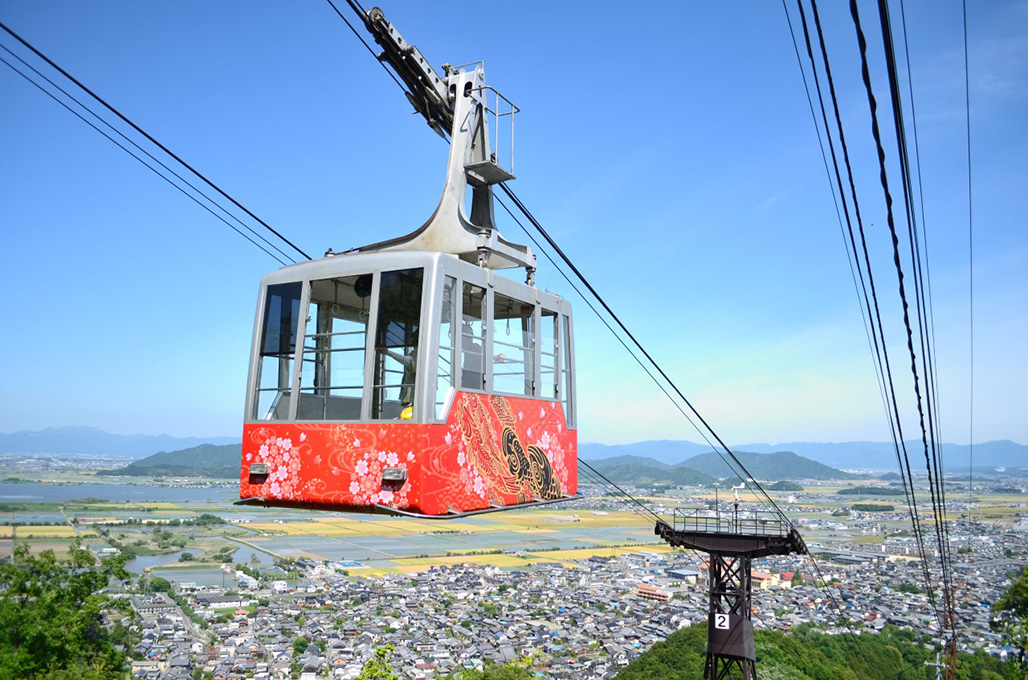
pixel 90 441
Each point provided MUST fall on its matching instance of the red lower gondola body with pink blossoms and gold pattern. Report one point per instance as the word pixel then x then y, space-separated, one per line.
pixel 493 452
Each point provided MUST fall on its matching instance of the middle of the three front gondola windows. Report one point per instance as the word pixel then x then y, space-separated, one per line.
pixel 333 374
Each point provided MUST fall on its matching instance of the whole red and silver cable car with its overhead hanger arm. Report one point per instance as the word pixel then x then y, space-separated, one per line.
pixel 409 376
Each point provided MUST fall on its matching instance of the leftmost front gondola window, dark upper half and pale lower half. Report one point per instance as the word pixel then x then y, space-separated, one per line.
pixel 278 347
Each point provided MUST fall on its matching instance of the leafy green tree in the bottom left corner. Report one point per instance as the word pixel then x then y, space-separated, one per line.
pixel 52 616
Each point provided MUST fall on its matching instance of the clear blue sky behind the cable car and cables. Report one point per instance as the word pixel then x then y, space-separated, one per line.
pixel 671 152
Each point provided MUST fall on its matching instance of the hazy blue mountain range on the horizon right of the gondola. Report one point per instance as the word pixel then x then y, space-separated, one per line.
pixel 850 455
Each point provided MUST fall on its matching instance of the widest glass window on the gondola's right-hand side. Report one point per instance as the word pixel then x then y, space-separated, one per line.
pixel 513 346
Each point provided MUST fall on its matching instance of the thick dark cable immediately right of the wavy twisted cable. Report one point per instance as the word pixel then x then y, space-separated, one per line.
pixel 932 457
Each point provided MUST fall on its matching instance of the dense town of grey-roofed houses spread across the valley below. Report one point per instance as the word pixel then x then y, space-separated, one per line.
pixel 584 620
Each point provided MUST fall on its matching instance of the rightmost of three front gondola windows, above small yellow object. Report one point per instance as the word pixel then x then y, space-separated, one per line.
pixel 396 344
